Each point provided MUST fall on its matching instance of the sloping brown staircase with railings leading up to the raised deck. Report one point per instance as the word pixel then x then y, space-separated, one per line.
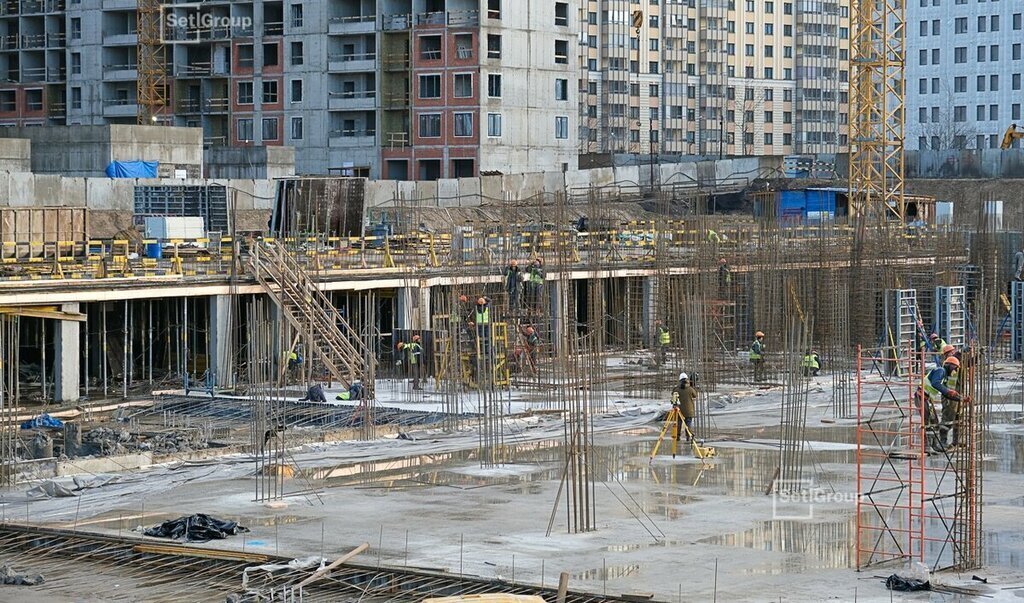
pixel 331 340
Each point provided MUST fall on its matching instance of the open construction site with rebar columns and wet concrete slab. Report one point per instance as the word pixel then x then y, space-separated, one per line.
pixel 461 395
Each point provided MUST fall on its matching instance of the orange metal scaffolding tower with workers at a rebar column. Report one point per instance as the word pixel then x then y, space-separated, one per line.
pixel 916 503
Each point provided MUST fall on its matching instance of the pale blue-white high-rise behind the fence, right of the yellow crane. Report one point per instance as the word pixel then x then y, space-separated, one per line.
pixel 964 69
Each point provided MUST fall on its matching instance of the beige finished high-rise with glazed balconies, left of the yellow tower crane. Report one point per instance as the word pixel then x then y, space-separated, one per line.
pixel 714 77
